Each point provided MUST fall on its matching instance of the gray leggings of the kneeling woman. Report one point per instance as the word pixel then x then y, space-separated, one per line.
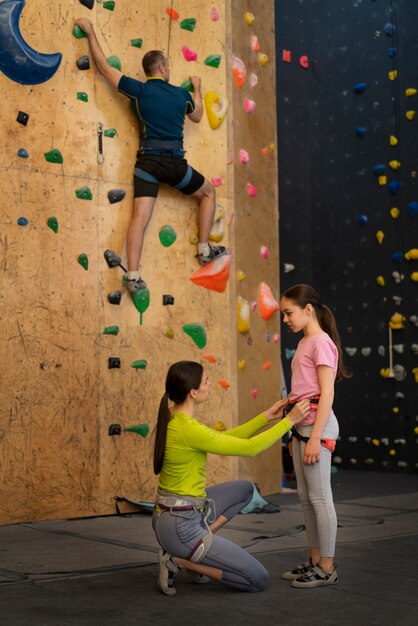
pixel 178 532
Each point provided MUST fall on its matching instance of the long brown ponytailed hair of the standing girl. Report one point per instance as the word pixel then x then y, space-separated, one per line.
pixel 302 295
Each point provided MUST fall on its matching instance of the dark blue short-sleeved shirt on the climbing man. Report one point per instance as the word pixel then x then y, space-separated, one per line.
pixel 161 107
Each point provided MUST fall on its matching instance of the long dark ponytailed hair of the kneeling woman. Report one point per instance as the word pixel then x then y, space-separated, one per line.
pixel 182 377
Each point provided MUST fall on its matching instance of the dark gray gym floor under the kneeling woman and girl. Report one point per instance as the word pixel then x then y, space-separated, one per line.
pixel 102 571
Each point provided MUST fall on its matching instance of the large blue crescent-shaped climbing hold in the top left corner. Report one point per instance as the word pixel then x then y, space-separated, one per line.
pixel 19 61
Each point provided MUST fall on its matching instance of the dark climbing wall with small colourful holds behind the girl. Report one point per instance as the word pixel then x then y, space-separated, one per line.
pixel 343 109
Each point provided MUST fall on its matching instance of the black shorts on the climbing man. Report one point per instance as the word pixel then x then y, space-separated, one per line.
pixel 151 169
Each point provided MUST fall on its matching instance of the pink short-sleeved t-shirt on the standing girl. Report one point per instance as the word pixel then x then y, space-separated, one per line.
pixel 311 352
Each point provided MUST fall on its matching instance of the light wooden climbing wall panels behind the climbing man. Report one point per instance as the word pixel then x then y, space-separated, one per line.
pixel 59 396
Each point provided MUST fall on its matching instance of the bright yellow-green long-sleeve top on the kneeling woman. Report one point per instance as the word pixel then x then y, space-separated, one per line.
pixel 189 441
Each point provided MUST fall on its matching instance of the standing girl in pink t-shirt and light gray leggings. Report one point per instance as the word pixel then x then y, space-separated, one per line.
pixel 316 365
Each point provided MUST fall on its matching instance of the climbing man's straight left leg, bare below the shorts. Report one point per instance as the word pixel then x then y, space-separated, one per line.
pixel 142 212
